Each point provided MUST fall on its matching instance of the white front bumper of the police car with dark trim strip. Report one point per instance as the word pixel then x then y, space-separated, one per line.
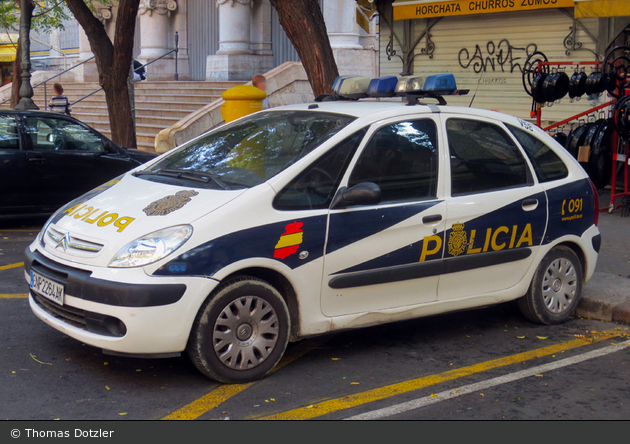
pixel 120 310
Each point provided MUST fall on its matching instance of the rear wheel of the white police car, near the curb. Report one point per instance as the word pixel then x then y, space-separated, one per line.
pixel 555 289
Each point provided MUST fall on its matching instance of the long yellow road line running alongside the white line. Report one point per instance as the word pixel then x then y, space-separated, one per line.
pixel 346 402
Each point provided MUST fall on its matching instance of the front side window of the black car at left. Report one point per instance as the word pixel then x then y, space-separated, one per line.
pixel 62 135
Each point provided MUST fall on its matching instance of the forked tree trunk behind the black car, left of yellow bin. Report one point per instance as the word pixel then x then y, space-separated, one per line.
pixel 113 61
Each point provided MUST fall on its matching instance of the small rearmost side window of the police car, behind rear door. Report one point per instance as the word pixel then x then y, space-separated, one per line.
pixel 547 163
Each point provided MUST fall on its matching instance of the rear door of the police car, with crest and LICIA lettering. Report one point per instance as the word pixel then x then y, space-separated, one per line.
pixel 497 212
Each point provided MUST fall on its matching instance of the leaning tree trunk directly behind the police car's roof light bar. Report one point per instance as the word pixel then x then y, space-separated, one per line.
pixel 303 22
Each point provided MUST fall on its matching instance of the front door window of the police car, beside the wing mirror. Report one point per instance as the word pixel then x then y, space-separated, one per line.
pixel 402 159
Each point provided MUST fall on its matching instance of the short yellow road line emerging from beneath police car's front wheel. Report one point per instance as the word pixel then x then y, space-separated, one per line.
pixel 218 396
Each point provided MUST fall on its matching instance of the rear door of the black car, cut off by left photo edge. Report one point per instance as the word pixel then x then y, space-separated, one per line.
pixel 13 185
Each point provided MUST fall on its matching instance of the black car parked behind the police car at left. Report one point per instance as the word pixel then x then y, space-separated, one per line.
pixel 49 159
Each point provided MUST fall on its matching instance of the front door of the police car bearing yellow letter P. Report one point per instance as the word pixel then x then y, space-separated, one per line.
pixel 388 255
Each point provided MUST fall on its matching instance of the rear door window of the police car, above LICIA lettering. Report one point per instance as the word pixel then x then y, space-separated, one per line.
pixel 483 158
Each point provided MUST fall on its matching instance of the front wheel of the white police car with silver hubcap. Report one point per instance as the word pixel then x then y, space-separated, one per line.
pixel 240 332
